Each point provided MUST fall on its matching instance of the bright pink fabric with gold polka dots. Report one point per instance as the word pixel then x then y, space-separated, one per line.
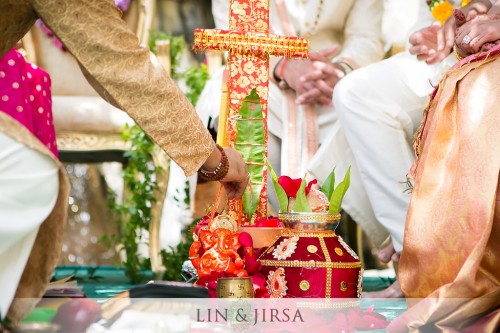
pixel 25 96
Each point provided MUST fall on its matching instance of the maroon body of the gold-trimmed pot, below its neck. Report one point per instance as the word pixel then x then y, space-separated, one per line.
pixel 334 273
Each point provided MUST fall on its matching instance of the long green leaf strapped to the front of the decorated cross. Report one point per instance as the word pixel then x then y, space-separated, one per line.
pixel 250 142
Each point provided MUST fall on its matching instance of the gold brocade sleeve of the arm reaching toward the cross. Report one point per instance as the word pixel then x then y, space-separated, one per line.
pixel 122 73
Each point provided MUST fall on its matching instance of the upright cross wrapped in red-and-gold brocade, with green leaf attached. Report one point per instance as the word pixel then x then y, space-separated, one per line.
pixel 243 116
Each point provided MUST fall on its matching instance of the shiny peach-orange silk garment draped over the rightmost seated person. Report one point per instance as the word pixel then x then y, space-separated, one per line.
pixel 451 252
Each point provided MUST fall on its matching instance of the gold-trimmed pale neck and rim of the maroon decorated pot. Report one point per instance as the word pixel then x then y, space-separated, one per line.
pixel 310 221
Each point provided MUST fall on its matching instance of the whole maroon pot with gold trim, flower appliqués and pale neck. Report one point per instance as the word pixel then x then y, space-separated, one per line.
pixel 309 260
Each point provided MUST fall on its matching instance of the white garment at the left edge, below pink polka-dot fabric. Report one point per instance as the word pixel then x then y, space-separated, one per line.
pixel 29 186
